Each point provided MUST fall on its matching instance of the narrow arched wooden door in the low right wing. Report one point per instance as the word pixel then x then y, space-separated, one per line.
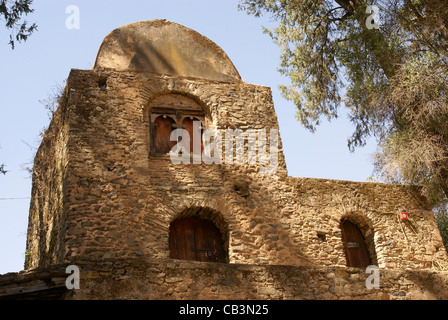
pixel 354 245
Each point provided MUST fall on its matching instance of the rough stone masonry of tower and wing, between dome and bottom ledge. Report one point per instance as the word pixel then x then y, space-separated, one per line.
pixel 113 199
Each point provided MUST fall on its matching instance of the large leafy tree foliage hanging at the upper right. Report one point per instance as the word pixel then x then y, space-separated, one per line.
pixel 392 80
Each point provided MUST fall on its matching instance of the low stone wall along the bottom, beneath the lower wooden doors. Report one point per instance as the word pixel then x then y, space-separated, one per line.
pixel 166 279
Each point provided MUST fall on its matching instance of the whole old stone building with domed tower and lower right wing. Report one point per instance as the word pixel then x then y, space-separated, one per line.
pixel 109 198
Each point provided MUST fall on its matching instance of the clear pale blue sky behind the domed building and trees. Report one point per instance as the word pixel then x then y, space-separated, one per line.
pixel 29 72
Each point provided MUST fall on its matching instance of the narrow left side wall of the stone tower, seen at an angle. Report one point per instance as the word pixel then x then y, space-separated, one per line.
pixel 46 223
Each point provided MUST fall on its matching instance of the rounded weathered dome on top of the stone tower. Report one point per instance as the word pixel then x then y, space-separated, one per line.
pixel 164 47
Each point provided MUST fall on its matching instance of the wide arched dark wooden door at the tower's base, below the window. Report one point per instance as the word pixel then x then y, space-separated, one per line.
pixel 196 239
